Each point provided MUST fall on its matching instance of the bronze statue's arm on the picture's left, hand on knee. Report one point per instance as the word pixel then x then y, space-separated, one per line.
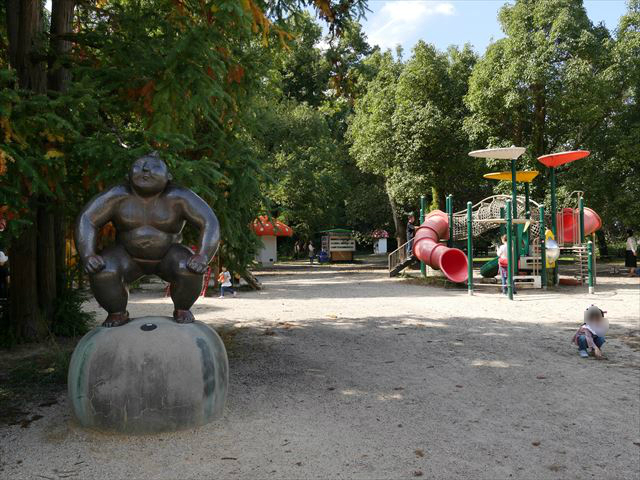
pixel 97 213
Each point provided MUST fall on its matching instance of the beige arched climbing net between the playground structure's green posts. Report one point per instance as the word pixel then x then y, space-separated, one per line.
pixel 486 216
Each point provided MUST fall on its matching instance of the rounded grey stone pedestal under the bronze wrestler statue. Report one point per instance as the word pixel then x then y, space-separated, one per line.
pixel 150 375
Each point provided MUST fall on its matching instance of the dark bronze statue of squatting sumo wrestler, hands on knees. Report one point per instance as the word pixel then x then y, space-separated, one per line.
pixel 148 214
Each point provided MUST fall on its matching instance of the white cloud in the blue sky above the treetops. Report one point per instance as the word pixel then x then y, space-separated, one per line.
pixel 397 21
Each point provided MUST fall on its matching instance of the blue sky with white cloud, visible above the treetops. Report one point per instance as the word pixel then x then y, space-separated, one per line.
pixel 446 22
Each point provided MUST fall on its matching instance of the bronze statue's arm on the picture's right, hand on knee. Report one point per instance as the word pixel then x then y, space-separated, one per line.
pixel 199 213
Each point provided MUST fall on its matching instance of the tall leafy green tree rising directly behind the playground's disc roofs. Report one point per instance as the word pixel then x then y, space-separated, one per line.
pixel 536 87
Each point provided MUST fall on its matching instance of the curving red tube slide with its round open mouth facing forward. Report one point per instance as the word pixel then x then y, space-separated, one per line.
pixel 426 247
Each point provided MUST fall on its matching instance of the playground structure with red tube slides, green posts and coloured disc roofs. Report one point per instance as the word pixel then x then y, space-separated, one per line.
pixel 524 221
